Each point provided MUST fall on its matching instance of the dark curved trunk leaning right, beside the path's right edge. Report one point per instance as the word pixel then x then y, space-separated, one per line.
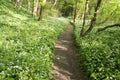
pixel 93 20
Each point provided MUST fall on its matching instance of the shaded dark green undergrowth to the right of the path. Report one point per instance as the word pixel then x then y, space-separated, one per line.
pixel 100 53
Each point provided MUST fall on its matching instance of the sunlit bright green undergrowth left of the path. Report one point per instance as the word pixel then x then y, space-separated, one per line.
pixel 26 45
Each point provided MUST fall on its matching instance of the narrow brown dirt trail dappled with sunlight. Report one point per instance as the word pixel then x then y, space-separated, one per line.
pixel 66 65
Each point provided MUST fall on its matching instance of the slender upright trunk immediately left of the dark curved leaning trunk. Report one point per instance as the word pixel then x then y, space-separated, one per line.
pixel 84 17
